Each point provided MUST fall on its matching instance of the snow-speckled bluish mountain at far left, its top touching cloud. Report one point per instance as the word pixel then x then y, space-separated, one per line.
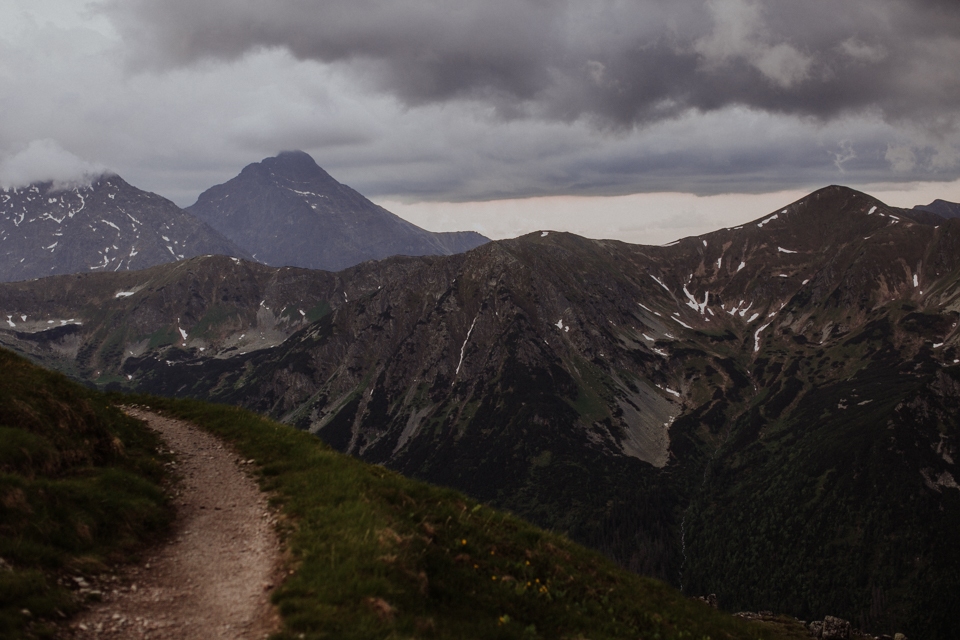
pixel 108 225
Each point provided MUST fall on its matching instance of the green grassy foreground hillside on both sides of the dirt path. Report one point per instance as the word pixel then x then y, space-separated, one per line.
pixel 369 552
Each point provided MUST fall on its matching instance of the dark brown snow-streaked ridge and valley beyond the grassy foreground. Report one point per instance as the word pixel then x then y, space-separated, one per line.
pixel 766 412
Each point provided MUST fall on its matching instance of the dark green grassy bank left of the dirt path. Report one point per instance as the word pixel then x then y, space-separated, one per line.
pixel 79 491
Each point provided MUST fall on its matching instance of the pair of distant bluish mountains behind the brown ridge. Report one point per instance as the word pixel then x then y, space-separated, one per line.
pixel 283 211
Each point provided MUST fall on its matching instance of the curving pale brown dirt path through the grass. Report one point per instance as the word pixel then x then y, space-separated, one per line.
pixel 213 578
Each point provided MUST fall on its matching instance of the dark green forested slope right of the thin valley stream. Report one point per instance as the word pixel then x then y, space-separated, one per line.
pixel 814 511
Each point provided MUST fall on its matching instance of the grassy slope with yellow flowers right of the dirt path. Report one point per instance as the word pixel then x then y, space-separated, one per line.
pixel 377 555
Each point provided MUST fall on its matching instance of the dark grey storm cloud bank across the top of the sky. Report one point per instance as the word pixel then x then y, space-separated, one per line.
pixel 621 63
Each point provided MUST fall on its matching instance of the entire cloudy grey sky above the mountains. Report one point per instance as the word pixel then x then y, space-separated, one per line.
pixel 643 120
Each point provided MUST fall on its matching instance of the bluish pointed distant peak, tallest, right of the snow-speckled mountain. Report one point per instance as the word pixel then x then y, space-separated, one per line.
pixel 287 211
